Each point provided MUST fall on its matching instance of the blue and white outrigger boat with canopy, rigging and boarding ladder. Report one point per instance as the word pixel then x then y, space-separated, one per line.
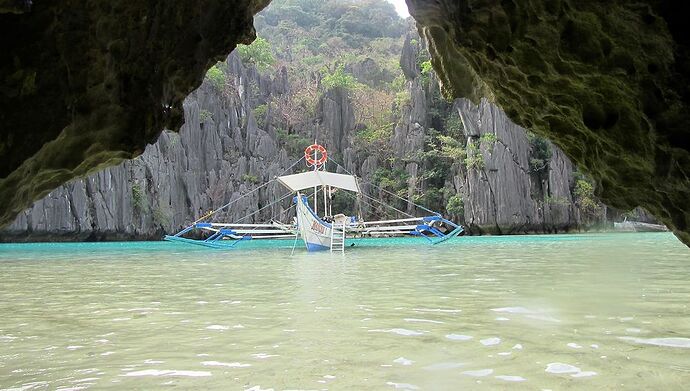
pixel 307 222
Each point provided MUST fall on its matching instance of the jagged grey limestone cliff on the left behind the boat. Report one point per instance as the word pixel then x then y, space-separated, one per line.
pixel 219 154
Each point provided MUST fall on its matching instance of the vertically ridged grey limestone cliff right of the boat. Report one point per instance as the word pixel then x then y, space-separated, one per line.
pixel 503 195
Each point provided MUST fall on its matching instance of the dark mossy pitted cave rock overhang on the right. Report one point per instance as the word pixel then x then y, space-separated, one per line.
pixel 606 81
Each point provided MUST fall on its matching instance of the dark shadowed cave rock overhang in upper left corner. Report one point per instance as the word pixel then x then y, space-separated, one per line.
pixel 86 84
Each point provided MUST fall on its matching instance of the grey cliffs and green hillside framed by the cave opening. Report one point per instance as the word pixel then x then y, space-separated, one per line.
pixel 357 77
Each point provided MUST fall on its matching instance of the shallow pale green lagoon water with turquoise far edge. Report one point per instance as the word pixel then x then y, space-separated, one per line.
pixel 603 311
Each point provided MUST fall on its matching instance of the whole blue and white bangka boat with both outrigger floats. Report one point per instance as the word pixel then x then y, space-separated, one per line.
pixel 327 233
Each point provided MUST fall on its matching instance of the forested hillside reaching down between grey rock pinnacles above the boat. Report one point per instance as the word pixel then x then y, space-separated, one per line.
pixel 321 44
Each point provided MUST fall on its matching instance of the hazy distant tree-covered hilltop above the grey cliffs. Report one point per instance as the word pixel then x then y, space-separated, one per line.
pixel 316 34
